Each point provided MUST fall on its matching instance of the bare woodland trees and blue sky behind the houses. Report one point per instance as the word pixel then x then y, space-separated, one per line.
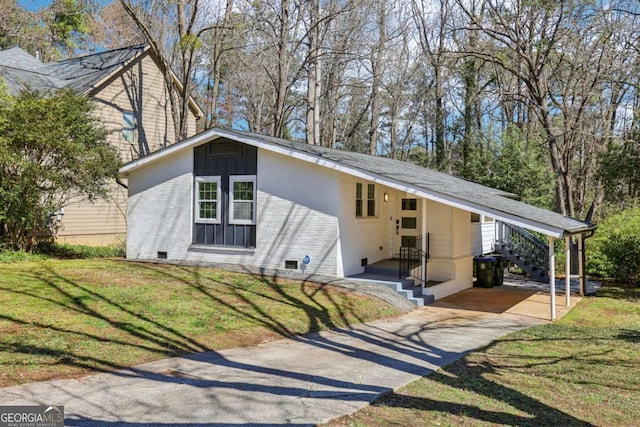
pixel 536 97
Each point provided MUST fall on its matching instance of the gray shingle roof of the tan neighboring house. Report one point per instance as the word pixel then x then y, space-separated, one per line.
pixel 22 71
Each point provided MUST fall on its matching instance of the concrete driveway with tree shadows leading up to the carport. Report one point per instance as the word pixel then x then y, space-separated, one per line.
pixel 302 381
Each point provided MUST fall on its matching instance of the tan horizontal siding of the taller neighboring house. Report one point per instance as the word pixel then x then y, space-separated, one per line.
pixel 138 88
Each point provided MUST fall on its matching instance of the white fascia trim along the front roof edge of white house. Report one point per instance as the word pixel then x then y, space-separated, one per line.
pixel 446 199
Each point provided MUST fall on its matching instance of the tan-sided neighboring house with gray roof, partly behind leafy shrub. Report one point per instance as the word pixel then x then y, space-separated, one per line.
pixel 132 104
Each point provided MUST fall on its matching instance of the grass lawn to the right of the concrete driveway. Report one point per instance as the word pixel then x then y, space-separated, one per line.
pixel 582 370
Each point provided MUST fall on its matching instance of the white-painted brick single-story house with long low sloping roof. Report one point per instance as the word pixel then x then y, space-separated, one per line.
pixel 276 206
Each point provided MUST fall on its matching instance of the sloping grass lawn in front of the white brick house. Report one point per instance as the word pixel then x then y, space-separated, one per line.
pixel 67 318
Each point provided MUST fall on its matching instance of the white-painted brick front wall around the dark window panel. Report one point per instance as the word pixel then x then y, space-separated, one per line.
pixel 296 216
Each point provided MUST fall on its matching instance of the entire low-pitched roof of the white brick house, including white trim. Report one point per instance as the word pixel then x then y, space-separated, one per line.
pixel 403 176
